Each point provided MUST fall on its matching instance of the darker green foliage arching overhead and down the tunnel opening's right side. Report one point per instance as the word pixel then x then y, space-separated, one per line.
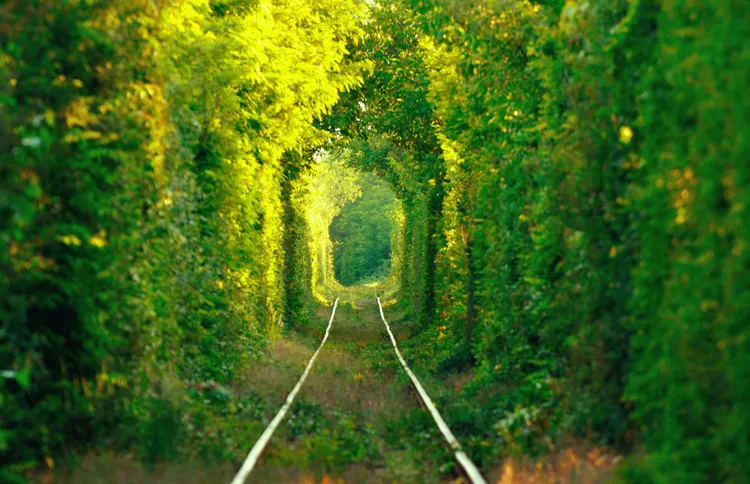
pixel 389 122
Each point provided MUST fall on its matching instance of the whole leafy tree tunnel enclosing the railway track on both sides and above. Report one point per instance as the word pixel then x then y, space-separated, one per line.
pixel 570 183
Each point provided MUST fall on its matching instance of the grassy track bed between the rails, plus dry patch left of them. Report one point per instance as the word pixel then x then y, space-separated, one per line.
pixel 356 419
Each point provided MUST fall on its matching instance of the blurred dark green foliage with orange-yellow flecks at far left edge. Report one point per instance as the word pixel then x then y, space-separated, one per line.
pixel 75 132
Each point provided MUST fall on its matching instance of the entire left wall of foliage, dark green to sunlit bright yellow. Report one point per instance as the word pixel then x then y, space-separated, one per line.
pixel 144 228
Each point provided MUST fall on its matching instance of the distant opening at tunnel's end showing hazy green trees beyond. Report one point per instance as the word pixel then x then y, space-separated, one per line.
pixel 362 234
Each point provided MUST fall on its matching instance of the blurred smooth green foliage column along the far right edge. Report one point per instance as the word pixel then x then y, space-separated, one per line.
pixel 691 293
